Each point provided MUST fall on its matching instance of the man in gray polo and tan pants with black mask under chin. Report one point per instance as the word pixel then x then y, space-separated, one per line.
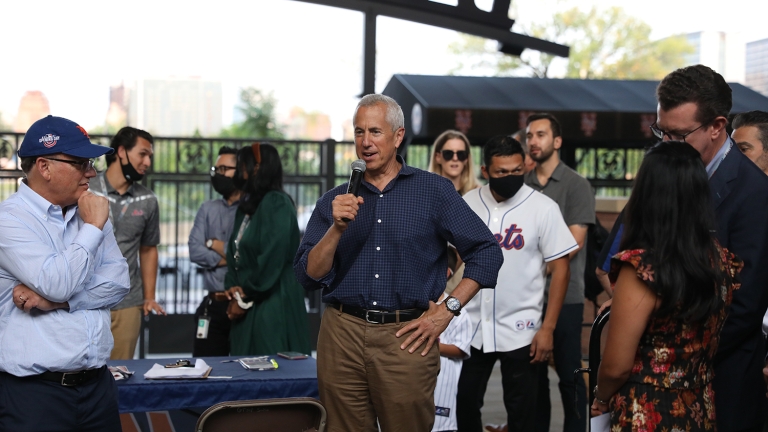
pixel 134 213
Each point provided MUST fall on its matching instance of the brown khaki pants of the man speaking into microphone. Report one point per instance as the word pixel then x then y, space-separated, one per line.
pixel 364 376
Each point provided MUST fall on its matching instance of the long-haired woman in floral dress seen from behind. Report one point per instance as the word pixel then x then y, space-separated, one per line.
pixel 673 283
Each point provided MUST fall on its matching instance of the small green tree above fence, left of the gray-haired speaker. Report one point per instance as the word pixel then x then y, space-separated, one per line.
pixel 258 111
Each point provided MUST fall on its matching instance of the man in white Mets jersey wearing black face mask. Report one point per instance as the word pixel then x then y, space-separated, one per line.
pixel 508 324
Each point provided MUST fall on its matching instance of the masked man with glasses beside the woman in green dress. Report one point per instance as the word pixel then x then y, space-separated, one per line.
pixel 208 249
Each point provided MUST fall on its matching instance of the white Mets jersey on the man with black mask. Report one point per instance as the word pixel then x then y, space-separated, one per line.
pixel 531 232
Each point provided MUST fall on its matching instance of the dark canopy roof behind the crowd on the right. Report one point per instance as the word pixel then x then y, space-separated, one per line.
pixel 589 110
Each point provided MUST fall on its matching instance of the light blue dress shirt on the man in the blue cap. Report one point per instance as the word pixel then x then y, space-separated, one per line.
pixel 62 259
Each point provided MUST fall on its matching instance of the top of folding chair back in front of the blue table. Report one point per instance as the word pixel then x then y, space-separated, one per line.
pixel 264 415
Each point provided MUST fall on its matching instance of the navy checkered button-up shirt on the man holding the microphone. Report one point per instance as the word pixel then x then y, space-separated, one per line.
pixel 393 256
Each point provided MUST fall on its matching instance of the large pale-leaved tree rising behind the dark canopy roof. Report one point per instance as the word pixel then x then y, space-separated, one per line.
pixel 605 43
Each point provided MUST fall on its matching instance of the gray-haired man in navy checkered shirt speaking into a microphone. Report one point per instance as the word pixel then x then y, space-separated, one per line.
pixel 381 259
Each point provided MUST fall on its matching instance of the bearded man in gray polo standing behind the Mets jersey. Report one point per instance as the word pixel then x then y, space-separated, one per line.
pixel 573 194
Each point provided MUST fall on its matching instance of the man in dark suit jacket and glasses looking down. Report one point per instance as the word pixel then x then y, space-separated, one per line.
pixel 694 103
